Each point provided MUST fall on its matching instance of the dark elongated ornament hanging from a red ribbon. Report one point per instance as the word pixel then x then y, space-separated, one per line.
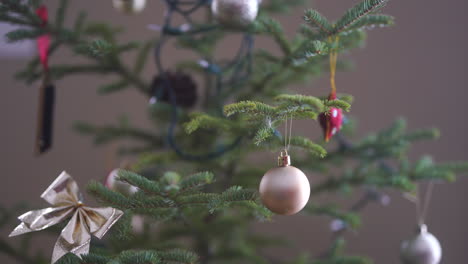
pixel 46 92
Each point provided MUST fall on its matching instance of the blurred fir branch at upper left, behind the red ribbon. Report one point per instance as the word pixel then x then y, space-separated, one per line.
pixel 104 50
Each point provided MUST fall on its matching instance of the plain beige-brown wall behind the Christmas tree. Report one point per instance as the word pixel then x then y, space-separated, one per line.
pixel 416 69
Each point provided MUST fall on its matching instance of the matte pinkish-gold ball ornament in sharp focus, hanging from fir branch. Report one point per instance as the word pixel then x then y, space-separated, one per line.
pixel 284 190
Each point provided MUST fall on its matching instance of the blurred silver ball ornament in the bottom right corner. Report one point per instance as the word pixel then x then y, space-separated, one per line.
pixel 424 248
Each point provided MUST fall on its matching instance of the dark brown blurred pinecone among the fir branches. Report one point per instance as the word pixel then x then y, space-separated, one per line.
pixel 182 85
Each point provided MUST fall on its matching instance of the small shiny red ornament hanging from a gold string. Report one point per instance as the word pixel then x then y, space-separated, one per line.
pixel 332 120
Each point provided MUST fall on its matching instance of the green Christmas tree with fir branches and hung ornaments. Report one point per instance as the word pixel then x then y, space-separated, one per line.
pixel 193 192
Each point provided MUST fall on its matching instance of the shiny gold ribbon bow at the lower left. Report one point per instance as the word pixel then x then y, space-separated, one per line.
pixel 66 200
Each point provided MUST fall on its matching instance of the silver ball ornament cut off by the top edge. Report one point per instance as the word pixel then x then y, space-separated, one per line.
pixel 235 13
